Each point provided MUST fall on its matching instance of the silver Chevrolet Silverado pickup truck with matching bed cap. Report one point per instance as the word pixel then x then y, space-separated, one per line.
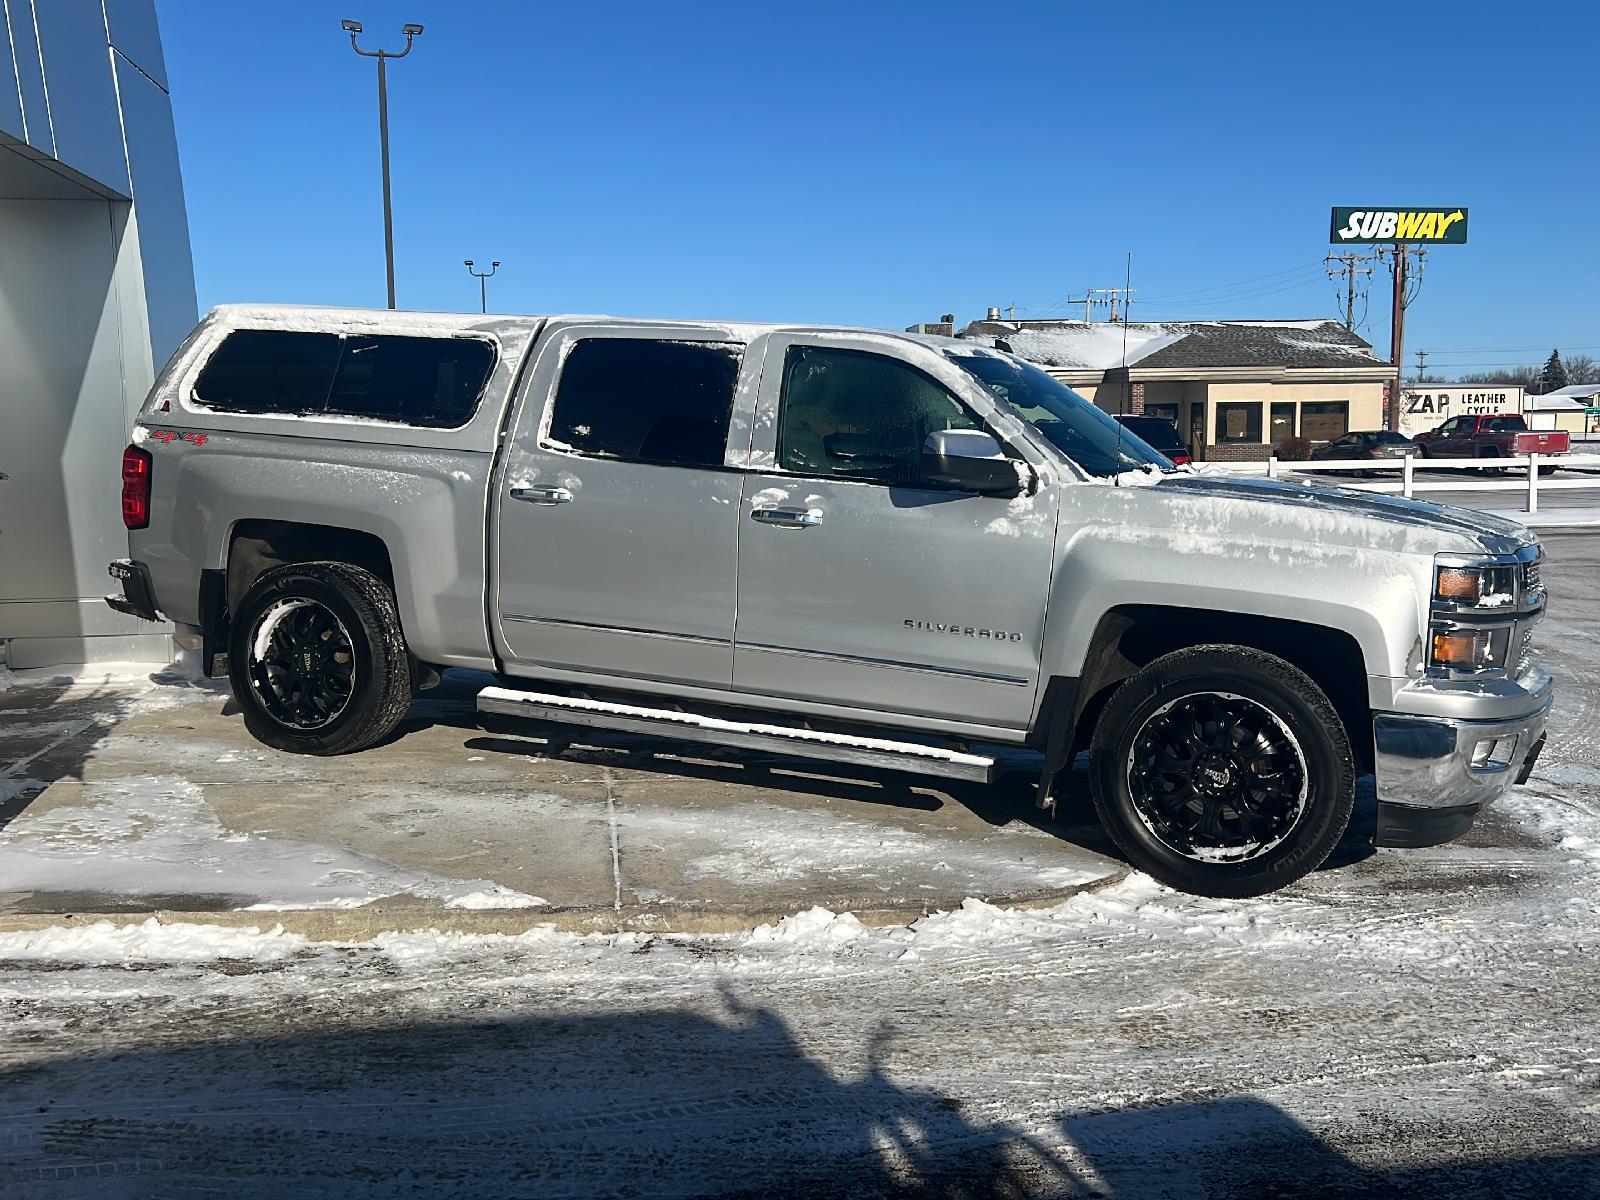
pixel 854 545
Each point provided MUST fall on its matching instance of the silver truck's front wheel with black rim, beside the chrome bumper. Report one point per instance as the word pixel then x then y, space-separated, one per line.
pixel 1223 772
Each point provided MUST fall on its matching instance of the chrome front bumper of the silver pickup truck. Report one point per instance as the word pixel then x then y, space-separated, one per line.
pixel 1436 774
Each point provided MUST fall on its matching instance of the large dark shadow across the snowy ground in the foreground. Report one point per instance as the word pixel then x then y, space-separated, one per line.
pixel 644 1103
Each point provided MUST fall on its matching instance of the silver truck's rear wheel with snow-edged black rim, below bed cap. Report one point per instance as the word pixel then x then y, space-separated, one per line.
pixel 318 660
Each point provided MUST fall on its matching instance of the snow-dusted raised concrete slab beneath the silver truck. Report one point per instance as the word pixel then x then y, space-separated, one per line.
pixel 146 796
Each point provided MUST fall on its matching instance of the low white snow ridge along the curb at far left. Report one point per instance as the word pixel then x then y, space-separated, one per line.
pixel 150 942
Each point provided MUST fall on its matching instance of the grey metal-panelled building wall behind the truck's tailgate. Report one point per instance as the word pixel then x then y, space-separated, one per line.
pixel 97 289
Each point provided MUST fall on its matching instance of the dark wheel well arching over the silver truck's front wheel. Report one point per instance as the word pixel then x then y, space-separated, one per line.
pixel 1132 636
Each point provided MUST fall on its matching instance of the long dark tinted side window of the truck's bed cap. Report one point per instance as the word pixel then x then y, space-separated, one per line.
pixel 420 382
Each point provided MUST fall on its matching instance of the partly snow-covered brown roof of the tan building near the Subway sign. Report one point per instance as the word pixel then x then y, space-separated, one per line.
pixel 1106 346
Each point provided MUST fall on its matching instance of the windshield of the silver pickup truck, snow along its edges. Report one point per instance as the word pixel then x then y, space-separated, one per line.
pixel 1081 431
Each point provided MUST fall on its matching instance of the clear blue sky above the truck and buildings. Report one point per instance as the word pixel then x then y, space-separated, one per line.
pixel 882 164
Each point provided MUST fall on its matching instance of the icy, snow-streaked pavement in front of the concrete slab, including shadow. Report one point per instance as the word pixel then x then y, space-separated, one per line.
pixel 1404 1023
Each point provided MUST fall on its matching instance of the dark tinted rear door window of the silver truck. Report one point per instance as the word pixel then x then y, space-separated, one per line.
pixel 647 401
